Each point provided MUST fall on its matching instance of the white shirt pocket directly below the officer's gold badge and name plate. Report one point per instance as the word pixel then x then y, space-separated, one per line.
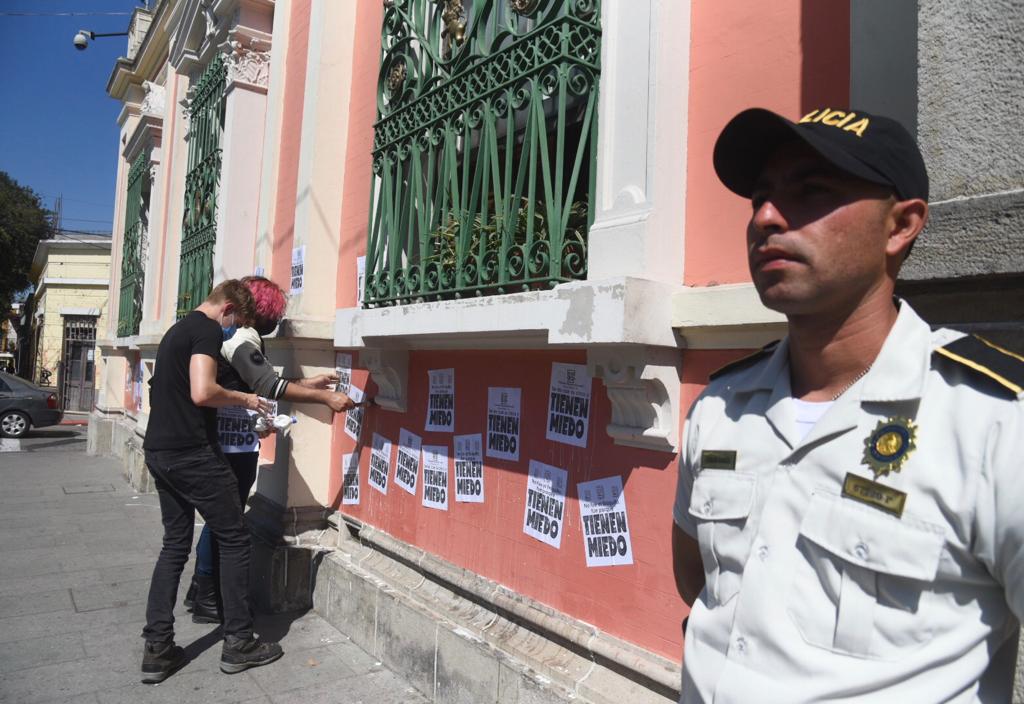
pixel 865 579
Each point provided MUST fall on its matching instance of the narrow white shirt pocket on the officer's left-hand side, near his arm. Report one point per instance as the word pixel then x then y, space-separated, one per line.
pixel 721 503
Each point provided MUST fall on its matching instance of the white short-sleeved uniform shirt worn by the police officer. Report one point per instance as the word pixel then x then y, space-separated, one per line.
pixel 818 588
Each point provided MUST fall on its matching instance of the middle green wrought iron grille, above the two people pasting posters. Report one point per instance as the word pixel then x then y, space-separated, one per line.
pixel 199 229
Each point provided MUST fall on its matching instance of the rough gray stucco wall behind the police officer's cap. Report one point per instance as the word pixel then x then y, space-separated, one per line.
pixel 970 93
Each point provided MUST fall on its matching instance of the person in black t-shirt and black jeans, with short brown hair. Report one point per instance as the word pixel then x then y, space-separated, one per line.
pixel 191 474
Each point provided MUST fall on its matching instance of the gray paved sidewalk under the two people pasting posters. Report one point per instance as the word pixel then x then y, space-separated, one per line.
pixel 77 548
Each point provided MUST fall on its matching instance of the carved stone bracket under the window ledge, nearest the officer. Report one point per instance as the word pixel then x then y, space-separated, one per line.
pixel 643 383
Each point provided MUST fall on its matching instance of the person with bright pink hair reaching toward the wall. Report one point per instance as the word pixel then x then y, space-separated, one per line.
pixel 243 367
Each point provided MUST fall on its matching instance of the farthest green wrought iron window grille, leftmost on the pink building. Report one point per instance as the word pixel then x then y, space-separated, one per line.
pixel 133 268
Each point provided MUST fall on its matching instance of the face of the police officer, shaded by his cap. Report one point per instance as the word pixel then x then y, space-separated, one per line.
pixel 817 238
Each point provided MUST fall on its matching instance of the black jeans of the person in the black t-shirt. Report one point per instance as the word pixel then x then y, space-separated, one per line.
pixel 198 479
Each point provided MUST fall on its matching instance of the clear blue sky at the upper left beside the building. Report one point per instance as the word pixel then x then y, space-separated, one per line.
pixel 59 131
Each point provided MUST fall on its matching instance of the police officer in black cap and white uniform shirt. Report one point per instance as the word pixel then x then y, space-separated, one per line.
pixel 847 521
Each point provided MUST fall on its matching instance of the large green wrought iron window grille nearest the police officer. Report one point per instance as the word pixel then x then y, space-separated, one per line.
pixel 485 148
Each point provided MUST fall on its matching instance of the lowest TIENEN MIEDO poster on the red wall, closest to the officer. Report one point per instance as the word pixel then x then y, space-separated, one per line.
pixel 606 531
